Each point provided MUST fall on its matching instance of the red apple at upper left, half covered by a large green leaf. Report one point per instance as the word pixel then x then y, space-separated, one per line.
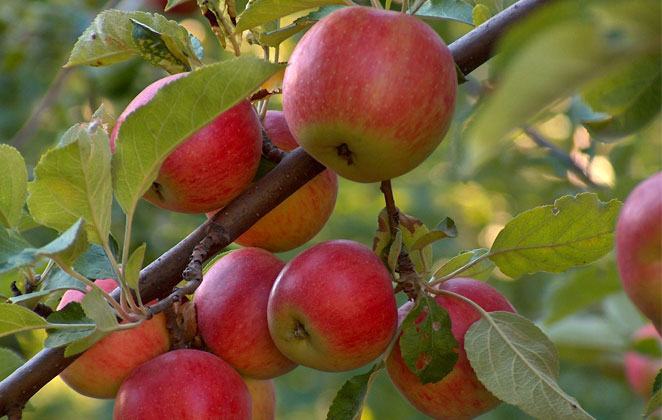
pixel 212 166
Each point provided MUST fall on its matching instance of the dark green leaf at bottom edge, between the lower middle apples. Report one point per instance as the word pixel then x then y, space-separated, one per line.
pixel 349 401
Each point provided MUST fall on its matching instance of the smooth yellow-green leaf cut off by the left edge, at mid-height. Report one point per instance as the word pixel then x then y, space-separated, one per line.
pixel 13 184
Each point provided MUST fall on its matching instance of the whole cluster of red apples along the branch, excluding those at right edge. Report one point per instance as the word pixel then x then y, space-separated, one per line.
pixel 332 307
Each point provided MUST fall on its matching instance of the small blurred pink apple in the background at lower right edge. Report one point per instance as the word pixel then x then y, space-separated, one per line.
pixel 641 369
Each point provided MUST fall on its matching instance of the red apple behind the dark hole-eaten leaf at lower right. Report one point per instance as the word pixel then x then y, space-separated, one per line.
pixel 459 395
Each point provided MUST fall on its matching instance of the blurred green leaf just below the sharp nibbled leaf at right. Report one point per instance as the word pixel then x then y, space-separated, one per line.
pixel 580 289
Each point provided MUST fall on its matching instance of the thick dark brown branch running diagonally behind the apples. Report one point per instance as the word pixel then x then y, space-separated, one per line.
pixel 158 279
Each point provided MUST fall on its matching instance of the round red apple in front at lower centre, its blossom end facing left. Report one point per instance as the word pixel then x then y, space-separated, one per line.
pixel 332 307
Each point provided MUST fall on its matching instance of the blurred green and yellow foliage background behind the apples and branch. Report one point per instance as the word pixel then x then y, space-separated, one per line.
pixel 35 40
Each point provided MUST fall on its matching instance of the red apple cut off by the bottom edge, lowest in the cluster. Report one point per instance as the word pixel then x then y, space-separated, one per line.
pixel 184 385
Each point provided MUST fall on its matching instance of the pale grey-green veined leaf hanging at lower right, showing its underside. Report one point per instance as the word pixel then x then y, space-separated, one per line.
pixel 519 365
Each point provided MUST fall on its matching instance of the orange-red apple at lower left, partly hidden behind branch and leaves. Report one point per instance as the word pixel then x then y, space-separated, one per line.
pixel 99 371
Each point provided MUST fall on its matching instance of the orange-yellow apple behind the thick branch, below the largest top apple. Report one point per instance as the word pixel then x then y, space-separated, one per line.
pixel 303 214
